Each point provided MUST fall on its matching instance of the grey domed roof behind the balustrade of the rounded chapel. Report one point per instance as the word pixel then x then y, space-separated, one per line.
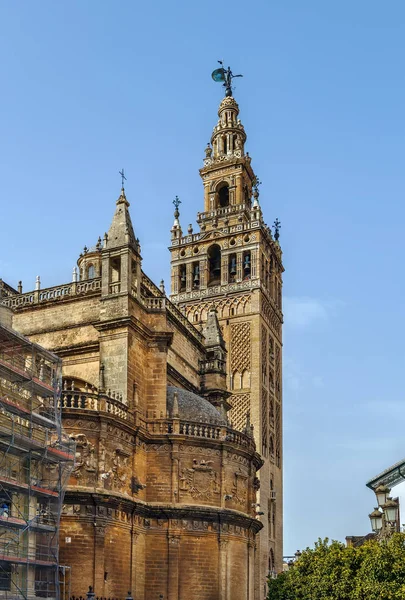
pixel 192 407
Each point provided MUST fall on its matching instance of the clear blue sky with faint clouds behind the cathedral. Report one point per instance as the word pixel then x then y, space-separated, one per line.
pixel 91 87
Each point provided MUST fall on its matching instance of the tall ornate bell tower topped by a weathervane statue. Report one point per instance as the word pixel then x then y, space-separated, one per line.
pixel 234 264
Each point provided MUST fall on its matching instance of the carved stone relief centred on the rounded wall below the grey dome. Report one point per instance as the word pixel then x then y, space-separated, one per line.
pixel 201 481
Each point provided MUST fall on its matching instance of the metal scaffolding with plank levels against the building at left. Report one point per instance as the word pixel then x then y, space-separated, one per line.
pixel 36 458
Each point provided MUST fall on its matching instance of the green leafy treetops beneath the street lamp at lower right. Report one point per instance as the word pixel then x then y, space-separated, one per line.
pixel 331 571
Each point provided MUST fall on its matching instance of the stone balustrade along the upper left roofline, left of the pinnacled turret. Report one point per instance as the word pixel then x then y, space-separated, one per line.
pixel 54 293
